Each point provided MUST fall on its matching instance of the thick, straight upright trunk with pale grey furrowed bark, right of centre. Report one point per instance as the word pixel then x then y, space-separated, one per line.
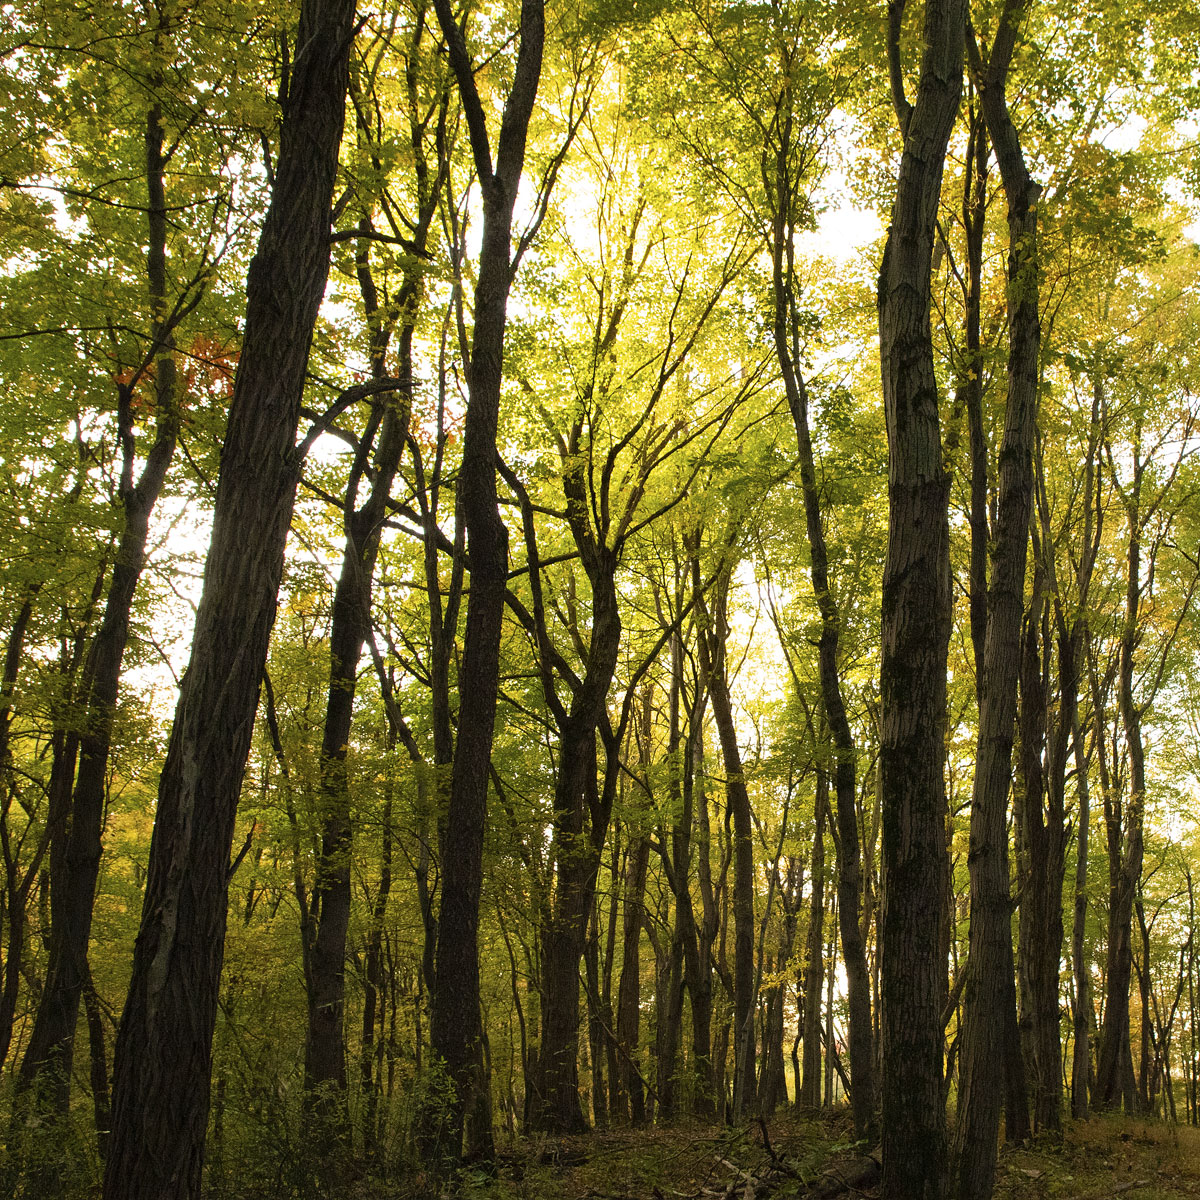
pixel 916 629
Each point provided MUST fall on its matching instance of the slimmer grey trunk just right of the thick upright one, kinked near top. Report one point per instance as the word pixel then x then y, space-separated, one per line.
pixel 986 1017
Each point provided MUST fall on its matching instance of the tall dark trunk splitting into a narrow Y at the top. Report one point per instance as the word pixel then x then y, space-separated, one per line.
pixel 457 1029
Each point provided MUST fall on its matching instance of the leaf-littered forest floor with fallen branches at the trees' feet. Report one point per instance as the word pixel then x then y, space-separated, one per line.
pixel 1096 1160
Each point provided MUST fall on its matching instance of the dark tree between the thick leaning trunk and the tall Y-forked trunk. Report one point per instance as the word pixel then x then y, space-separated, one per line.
pixel 374 469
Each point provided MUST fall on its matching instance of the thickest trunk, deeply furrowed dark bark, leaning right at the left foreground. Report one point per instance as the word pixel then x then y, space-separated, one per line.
pixel 164 1051
